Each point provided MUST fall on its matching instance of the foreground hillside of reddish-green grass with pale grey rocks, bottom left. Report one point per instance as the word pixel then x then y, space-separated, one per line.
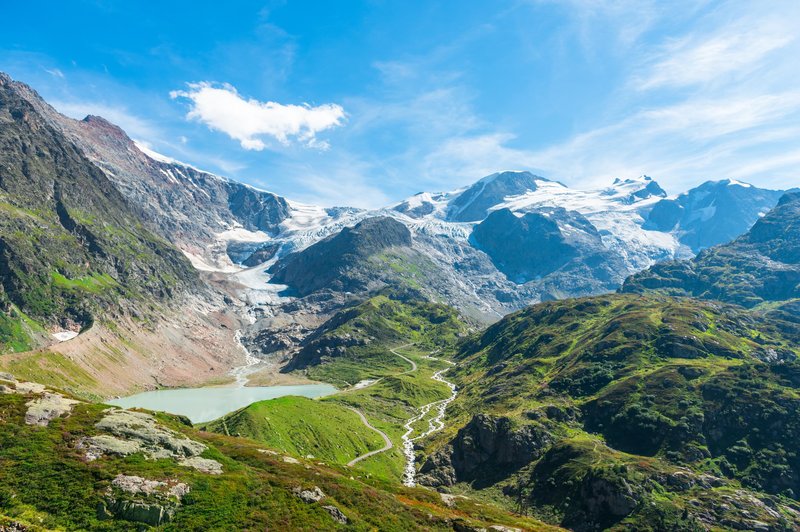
pixel 54 477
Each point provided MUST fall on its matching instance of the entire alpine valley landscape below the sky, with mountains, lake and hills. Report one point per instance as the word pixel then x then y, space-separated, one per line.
pixel 180 351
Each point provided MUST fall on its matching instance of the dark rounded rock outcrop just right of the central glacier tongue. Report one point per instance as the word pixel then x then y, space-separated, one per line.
pixel 338 262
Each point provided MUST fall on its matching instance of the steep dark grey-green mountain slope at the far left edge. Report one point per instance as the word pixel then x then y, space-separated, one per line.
pixel 71 248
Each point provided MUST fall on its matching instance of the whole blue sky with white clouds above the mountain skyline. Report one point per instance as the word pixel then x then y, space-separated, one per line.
pixel 364 103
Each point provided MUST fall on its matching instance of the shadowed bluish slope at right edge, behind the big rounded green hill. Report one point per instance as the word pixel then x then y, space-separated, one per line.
pixel 762 265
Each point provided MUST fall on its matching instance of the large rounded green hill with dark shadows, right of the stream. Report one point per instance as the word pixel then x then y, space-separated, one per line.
pixel 627 412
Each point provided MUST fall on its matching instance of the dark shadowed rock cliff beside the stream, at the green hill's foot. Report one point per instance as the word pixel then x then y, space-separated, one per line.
pixel 485 449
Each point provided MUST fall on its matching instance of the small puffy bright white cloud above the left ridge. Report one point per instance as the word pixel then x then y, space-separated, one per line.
pixel 222 108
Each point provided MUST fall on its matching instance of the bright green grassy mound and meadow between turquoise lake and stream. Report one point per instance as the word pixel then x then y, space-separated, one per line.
pixel 328 429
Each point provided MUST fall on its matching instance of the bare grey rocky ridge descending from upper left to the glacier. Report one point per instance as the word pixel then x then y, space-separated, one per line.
pixel 181 203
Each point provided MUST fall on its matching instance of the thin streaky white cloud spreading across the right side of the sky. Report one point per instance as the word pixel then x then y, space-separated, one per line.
pixel 719 100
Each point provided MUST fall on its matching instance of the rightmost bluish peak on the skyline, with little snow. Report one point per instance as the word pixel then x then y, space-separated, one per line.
pixel 714 213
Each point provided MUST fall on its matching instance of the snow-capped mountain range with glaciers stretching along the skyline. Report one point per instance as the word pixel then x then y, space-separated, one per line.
pixel 510 239
